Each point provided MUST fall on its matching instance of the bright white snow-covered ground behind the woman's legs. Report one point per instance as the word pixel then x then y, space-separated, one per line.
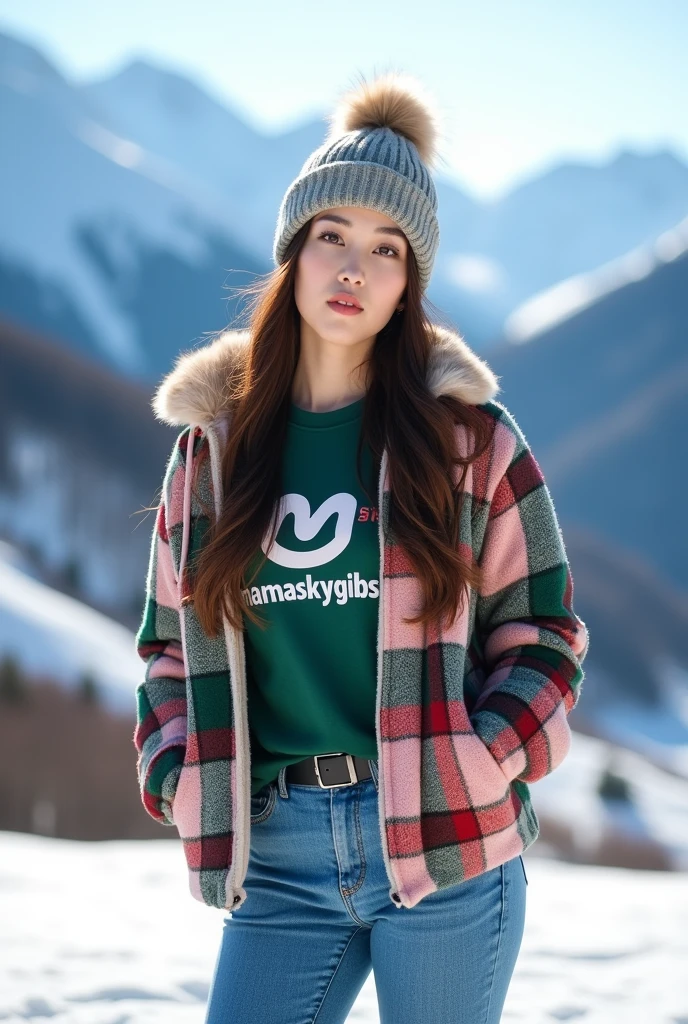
pixel 108 933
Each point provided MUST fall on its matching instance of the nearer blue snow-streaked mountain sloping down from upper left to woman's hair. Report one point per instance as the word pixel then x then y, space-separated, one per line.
pixel 103 244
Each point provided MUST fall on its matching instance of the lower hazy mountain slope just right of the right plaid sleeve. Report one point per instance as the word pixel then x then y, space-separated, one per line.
pixel 636 688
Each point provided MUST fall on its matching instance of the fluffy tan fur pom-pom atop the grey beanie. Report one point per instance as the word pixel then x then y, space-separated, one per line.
pixel 395 101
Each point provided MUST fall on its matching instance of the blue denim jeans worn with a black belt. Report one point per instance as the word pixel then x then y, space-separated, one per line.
pixel 318 918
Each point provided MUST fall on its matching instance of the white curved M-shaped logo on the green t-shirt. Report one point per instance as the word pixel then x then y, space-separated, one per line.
pixel 307 527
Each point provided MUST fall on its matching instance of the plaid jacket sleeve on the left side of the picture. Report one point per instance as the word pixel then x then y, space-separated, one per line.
pixel 160 736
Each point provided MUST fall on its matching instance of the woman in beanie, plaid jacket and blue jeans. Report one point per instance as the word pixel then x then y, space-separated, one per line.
pixel 360 635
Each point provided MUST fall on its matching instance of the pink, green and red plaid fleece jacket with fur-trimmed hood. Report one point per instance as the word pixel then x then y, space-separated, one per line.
pixel 466 717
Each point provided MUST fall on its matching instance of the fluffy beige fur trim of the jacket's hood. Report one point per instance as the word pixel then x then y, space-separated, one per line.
pixel 196 390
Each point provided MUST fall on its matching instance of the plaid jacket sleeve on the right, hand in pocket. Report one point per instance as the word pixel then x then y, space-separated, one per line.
pixel 534 645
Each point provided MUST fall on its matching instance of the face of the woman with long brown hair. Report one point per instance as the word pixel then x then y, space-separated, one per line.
pixel 357 251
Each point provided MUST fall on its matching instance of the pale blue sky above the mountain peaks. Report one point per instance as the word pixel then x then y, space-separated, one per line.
pixel 521 86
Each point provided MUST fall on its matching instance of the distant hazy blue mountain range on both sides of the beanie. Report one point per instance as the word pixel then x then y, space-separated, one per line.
pixel 126 202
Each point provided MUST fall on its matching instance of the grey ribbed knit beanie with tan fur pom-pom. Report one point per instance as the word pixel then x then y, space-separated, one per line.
pixel 380 148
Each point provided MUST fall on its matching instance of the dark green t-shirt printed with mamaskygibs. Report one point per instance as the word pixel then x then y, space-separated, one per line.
pixel 312 674
